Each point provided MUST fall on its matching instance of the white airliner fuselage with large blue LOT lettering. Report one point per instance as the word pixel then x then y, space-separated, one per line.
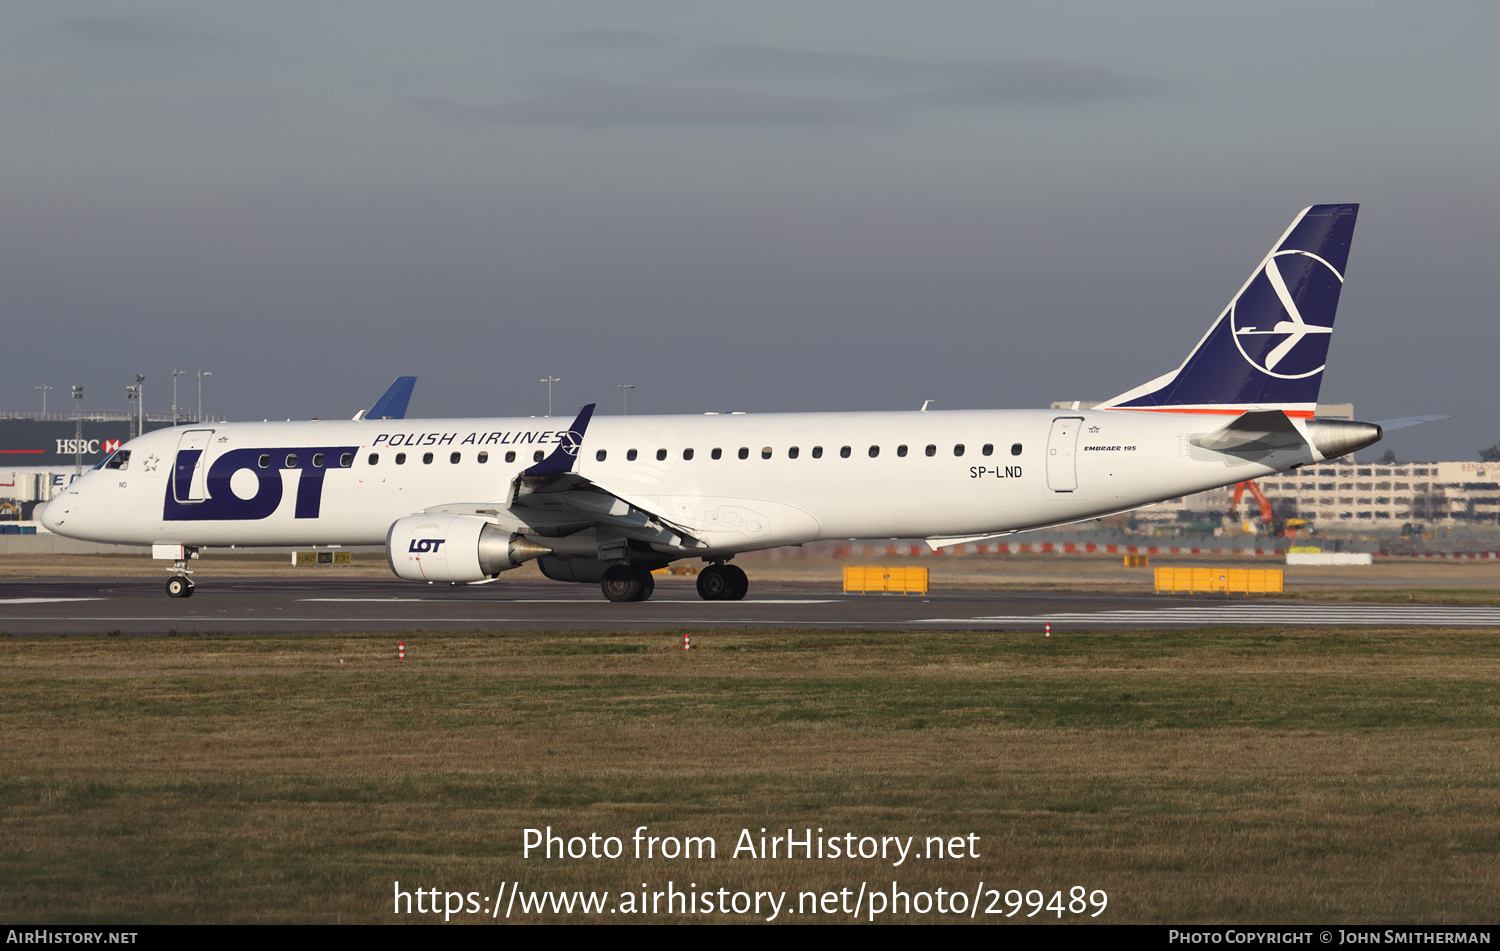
pixel 736 482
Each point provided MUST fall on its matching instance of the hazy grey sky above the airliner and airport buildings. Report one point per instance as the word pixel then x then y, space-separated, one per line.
pixel 793 206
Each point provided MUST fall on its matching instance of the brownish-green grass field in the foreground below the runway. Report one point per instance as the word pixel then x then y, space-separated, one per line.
pixel 1219 776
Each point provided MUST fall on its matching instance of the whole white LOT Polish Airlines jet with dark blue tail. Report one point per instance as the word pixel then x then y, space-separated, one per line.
pixel 610 500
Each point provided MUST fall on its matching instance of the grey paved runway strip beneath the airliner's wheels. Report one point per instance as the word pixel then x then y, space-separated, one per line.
pixel 277 605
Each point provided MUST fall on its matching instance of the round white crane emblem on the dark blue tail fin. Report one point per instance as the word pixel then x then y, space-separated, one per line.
pixel 1270 328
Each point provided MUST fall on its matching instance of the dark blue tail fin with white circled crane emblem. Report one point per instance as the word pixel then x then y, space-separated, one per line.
pixel 1268 349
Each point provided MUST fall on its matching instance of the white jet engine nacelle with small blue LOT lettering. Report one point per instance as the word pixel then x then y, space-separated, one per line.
pixel 455 548
